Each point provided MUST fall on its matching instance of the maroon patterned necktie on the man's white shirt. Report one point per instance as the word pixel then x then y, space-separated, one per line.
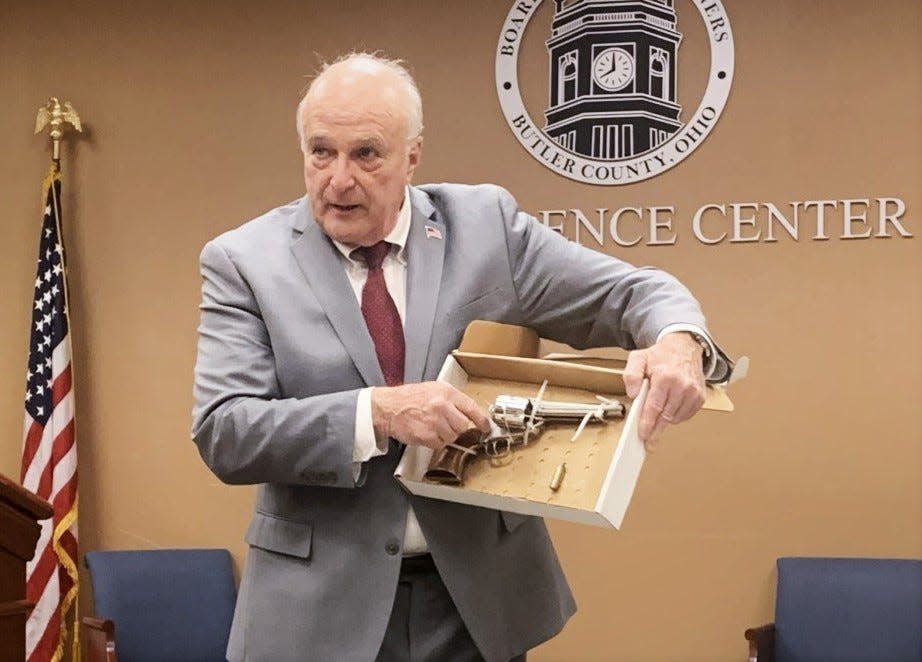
pixel 380 313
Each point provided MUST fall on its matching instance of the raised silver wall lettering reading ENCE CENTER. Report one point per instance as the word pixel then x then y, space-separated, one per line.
pixel 734 223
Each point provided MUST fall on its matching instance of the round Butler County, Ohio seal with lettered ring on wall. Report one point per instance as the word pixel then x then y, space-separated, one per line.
pixel 612 114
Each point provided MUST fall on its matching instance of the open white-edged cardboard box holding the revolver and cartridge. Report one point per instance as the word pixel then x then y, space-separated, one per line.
pixel 602 464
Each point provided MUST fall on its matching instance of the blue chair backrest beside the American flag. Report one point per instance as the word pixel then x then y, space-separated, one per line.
pixel 167 604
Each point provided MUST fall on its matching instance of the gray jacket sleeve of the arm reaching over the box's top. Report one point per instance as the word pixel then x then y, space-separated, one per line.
pixel 585 298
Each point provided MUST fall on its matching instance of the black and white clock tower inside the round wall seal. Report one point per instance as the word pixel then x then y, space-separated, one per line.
pixel 613 76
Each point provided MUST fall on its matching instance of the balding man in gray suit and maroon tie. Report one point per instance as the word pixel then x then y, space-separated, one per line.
pixel 315 367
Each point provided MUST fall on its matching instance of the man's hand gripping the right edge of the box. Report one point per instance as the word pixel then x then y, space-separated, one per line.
pixel 675 370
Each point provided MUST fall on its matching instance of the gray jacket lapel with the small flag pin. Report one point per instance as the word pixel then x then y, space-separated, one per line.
pixel 425 255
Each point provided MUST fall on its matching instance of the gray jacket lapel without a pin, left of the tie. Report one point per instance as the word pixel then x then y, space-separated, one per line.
pixel 320 263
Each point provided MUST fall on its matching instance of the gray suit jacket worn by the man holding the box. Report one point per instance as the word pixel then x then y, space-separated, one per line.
pixel 283 352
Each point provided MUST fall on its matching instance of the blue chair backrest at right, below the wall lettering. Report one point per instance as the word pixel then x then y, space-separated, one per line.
pixel 848 610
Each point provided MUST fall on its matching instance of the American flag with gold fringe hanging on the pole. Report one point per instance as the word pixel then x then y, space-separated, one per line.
pixel 49 455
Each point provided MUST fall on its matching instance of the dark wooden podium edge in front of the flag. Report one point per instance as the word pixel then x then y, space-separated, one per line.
pixel 20 511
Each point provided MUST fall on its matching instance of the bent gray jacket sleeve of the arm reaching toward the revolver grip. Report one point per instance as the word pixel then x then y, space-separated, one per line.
pixel 245 431
